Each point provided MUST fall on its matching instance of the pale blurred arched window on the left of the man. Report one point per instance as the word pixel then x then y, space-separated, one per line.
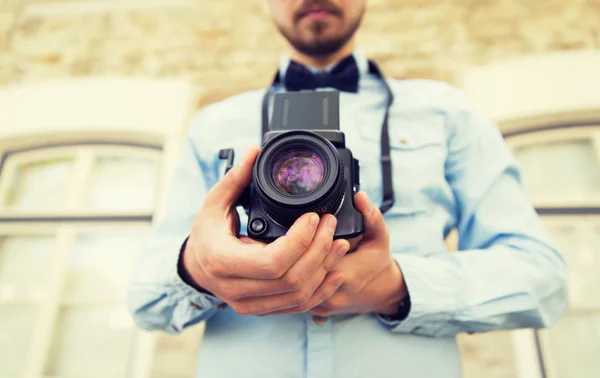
pixel 72 219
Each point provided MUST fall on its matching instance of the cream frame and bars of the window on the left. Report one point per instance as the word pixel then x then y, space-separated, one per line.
pixel 64 227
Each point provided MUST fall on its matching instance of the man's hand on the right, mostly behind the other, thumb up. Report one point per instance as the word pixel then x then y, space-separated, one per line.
pixel 373 281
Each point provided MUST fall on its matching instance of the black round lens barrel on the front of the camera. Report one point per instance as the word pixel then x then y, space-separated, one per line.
pixel 299 172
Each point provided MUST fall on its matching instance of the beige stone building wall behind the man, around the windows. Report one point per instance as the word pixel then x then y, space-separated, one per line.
pixel 228 46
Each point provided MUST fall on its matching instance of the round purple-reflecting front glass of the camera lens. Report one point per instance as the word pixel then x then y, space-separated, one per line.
pixel 298 172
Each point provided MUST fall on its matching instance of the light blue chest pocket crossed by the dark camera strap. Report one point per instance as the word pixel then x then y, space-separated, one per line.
pixel 418 151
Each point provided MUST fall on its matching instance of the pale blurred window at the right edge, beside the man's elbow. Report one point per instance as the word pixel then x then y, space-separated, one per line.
pixel 561 174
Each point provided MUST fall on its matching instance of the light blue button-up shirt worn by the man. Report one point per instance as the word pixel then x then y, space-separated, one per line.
pixel 451 169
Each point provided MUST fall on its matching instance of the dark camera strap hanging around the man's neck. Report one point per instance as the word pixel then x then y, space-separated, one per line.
pixel 386 160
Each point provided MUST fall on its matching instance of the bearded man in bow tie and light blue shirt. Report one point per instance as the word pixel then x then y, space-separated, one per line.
pixel 304 307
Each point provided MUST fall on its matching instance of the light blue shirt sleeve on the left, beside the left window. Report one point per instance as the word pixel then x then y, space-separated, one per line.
pixel 158 298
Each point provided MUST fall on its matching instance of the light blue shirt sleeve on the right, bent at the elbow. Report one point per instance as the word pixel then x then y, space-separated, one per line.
pixel 506 274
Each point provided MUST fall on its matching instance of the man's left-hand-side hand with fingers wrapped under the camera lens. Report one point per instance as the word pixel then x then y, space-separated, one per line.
pixel 252 277
